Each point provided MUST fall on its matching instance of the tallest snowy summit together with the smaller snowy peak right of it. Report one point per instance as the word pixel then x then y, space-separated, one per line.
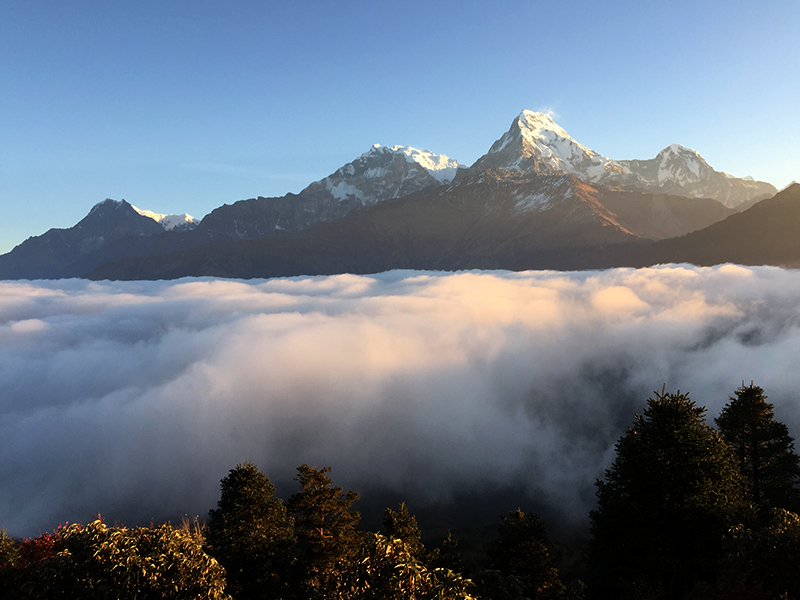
pixel 536 144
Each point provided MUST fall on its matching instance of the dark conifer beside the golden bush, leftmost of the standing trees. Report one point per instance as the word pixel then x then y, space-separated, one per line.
pixel 251 534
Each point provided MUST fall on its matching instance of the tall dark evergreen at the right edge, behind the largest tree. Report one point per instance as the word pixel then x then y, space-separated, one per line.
pixel 764 448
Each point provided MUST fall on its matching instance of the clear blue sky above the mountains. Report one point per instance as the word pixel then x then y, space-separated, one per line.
pixel 183 106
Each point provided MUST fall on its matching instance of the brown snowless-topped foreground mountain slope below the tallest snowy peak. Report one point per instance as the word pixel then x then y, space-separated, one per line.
pixel 494 219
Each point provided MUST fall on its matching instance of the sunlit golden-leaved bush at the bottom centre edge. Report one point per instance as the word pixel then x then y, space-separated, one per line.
pixel 386 569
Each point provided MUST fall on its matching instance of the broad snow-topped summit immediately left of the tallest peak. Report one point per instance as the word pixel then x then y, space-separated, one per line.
pixel 384 173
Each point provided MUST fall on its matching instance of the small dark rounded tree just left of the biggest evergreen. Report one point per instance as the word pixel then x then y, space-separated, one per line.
pixel 523 549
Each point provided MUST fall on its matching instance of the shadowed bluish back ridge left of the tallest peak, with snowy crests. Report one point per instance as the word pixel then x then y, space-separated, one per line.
pixel 115 230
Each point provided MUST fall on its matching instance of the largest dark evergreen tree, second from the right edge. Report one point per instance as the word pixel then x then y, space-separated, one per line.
pixel 672 492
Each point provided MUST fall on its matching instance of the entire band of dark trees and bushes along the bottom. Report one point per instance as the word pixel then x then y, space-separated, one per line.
pixel 687 510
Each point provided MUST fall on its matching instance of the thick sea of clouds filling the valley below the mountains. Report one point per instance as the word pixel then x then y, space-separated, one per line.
pixel 133 399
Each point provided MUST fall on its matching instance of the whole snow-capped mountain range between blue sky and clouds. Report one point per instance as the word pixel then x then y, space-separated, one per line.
pixel 536 199
